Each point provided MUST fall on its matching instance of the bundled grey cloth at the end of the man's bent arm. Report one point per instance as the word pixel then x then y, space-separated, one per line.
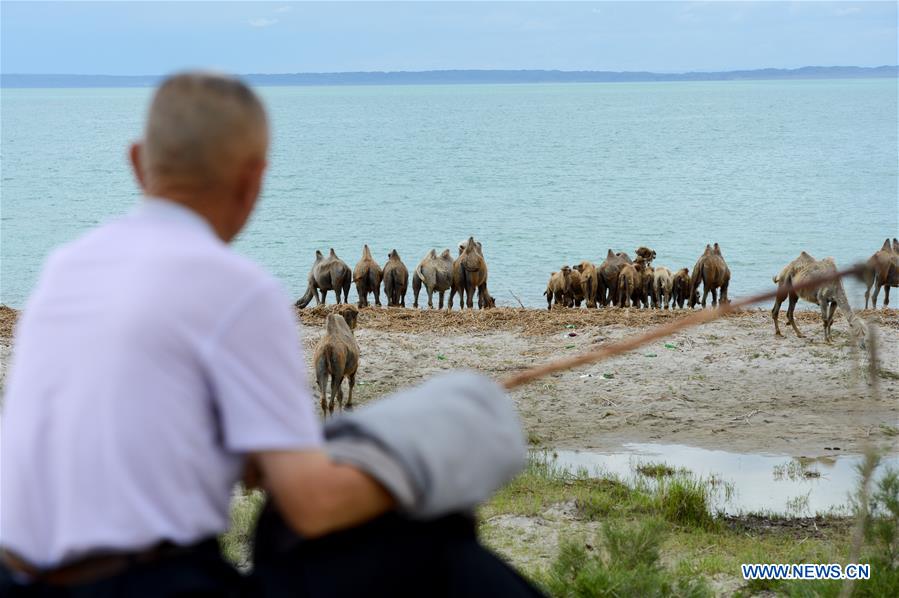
pixel 441 447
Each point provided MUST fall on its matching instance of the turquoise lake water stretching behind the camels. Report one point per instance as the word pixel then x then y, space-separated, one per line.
pixel 542 174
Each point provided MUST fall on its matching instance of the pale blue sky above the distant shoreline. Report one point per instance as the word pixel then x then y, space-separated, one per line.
pixel 153 38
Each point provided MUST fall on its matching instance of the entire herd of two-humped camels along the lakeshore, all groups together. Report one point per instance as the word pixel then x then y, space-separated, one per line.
pixel 617 281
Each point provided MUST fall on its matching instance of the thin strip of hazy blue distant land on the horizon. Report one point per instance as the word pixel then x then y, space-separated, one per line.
pixel 463 77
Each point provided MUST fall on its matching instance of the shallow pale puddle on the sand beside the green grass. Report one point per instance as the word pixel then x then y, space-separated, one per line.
pixel 741 482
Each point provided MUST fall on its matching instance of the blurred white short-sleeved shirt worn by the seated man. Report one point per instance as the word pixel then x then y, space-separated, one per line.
pixel 148 362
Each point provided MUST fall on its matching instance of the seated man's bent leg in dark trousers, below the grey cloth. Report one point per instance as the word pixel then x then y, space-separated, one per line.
pixel 390 556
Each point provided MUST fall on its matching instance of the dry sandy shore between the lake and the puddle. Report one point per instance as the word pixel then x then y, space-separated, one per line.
pixel 730 384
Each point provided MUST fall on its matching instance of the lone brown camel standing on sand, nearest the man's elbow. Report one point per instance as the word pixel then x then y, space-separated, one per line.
pixel 337 357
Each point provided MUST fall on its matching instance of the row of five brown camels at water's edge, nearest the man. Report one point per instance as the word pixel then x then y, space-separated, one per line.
pixel 466 275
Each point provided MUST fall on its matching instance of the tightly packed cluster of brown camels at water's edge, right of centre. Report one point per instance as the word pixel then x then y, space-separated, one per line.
pixel 622 282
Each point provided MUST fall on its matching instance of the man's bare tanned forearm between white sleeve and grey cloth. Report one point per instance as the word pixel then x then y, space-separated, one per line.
pixel 317 496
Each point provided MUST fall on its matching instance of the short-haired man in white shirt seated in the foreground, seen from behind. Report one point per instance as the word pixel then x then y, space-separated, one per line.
pixel 152 363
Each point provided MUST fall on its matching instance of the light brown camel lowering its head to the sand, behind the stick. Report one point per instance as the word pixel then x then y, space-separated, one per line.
pixel 829 296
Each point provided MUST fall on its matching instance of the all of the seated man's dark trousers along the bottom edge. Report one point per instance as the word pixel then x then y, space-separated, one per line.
pixel 390 556
